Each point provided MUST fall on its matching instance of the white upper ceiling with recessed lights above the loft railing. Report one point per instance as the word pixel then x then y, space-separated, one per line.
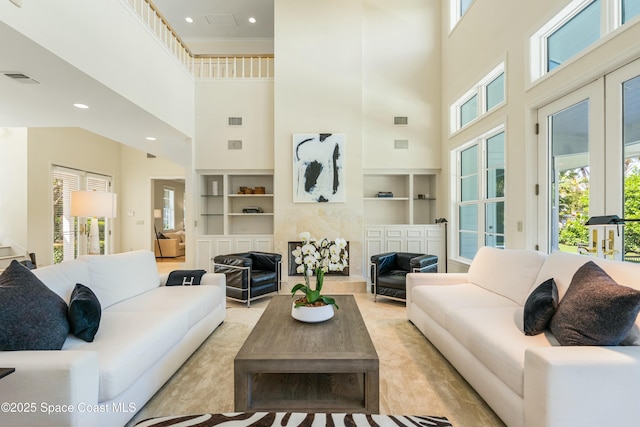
pixel 218 19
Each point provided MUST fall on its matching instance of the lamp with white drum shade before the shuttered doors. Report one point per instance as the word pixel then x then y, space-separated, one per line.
pixel 94 205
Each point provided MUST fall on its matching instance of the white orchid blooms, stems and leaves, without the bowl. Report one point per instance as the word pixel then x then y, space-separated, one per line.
pixel 318 257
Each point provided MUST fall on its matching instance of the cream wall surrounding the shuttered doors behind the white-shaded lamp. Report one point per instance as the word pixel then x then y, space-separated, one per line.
pixel 69 147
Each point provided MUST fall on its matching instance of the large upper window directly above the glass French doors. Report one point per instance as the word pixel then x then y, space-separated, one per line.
pixel 579 25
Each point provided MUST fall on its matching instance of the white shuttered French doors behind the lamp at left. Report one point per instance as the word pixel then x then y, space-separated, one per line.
pixel 70 234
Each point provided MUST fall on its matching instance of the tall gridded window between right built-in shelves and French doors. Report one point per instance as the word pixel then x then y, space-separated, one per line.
pixel 481 193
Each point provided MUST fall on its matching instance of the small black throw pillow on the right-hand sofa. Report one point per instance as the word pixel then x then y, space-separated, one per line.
pixel 540 307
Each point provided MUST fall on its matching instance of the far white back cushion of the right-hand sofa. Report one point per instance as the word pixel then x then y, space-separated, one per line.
pixel 510 273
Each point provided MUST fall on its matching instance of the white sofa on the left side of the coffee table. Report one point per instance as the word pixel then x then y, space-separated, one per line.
pixel 147 331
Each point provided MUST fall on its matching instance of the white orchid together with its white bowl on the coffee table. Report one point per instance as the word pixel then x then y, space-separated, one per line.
pixel 316 257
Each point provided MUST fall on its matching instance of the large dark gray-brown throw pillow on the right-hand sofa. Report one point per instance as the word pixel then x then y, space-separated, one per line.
pixel 595 309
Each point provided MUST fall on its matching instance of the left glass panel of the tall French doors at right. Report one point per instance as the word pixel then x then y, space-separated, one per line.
pixel 573 145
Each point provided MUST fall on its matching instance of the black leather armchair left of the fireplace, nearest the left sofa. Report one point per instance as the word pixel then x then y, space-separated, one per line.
pixel 250 275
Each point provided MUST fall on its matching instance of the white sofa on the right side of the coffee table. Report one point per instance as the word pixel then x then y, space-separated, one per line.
pixel 475 320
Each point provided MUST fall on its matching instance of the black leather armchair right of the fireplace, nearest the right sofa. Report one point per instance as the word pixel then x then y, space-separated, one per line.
pixel 389 271
